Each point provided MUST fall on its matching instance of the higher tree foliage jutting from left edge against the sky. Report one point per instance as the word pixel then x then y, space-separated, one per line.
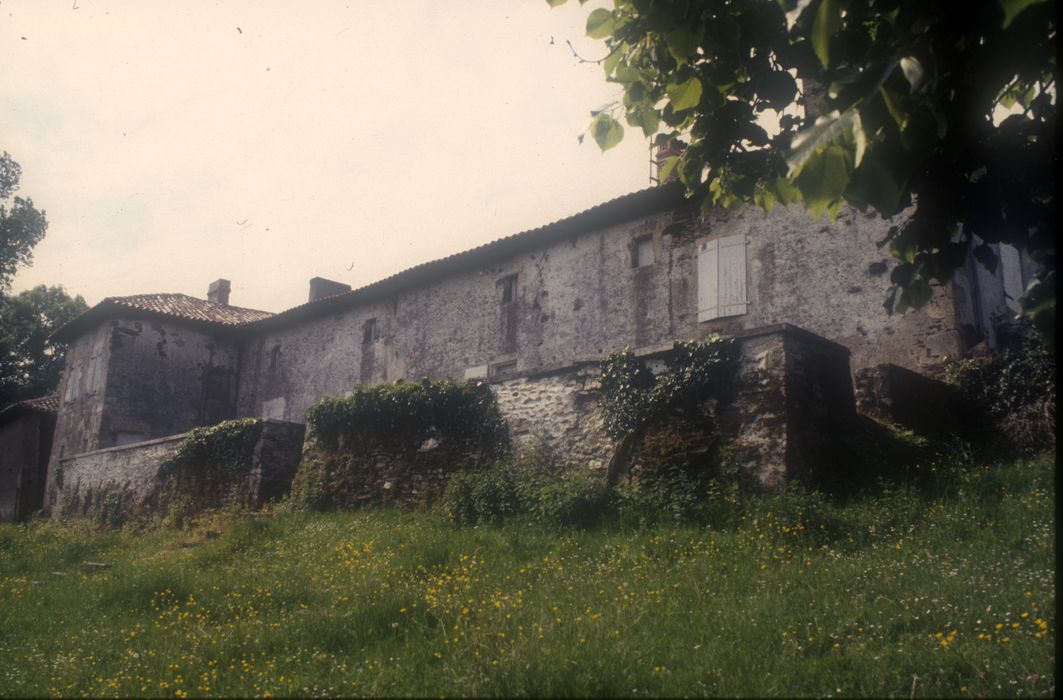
pixel 22 226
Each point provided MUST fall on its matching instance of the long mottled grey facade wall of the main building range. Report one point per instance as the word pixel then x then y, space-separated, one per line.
pixel 585 297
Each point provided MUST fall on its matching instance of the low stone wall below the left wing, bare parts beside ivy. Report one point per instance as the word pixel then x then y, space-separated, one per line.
pixel 126 482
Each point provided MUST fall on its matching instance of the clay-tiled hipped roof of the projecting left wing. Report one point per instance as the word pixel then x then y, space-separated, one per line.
pixel 174 306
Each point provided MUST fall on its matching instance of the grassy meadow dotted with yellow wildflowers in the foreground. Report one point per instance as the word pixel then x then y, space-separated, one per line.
pixel 905 593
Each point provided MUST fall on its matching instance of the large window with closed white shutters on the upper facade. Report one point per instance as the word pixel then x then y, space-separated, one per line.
pixel 721 279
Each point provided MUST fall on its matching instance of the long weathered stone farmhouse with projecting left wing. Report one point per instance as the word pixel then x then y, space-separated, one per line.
pixel 640 271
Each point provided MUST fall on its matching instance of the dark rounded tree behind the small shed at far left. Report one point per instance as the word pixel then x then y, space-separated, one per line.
pixel 30 366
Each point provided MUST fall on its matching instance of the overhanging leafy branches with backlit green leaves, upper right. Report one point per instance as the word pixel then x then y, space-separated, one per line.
pixel 912 117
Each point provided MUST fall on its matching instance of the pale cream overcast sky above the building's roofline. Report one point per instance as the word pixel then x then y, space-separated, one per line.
pixel 272 142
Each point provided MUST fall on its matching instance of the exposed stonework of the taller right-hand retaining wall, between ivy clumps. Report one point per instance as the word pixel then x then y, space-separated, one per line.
pixel 791 392
